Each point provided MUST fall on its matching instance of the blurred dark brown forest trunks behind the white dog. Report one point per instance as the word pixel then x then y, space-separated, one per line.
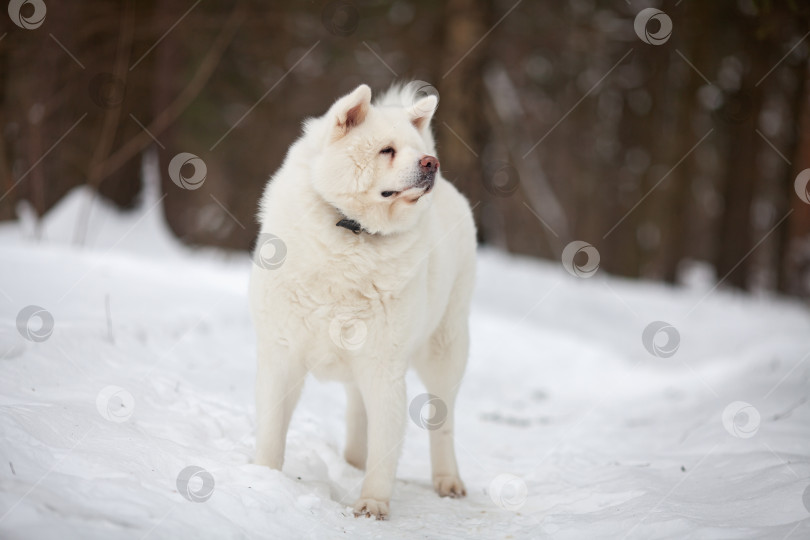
pixel 556 119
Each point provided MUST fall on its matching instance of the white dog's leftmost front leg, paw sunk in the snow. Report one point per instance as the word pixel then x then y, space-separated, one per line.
pixel 279 380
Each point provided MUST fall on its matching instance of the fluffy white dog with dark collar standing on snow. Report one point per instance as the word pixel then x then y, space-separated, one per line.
pixel 359 302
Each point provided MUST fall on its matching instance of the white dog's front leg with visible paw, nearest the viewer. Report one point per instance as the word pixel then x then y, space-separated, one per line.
pixel 385 401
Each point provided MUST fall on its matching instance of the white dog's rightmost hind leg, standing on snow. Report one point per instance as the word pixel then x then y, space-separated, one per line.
pixel 441 370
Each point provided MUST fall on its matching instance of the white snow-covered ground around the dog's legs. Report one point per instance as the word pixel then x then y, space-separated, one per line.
pixel 149 370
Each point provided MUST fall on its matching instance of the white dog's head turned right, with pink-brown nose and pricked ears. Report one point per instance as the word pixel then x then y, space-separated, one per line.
pixel 377 164
